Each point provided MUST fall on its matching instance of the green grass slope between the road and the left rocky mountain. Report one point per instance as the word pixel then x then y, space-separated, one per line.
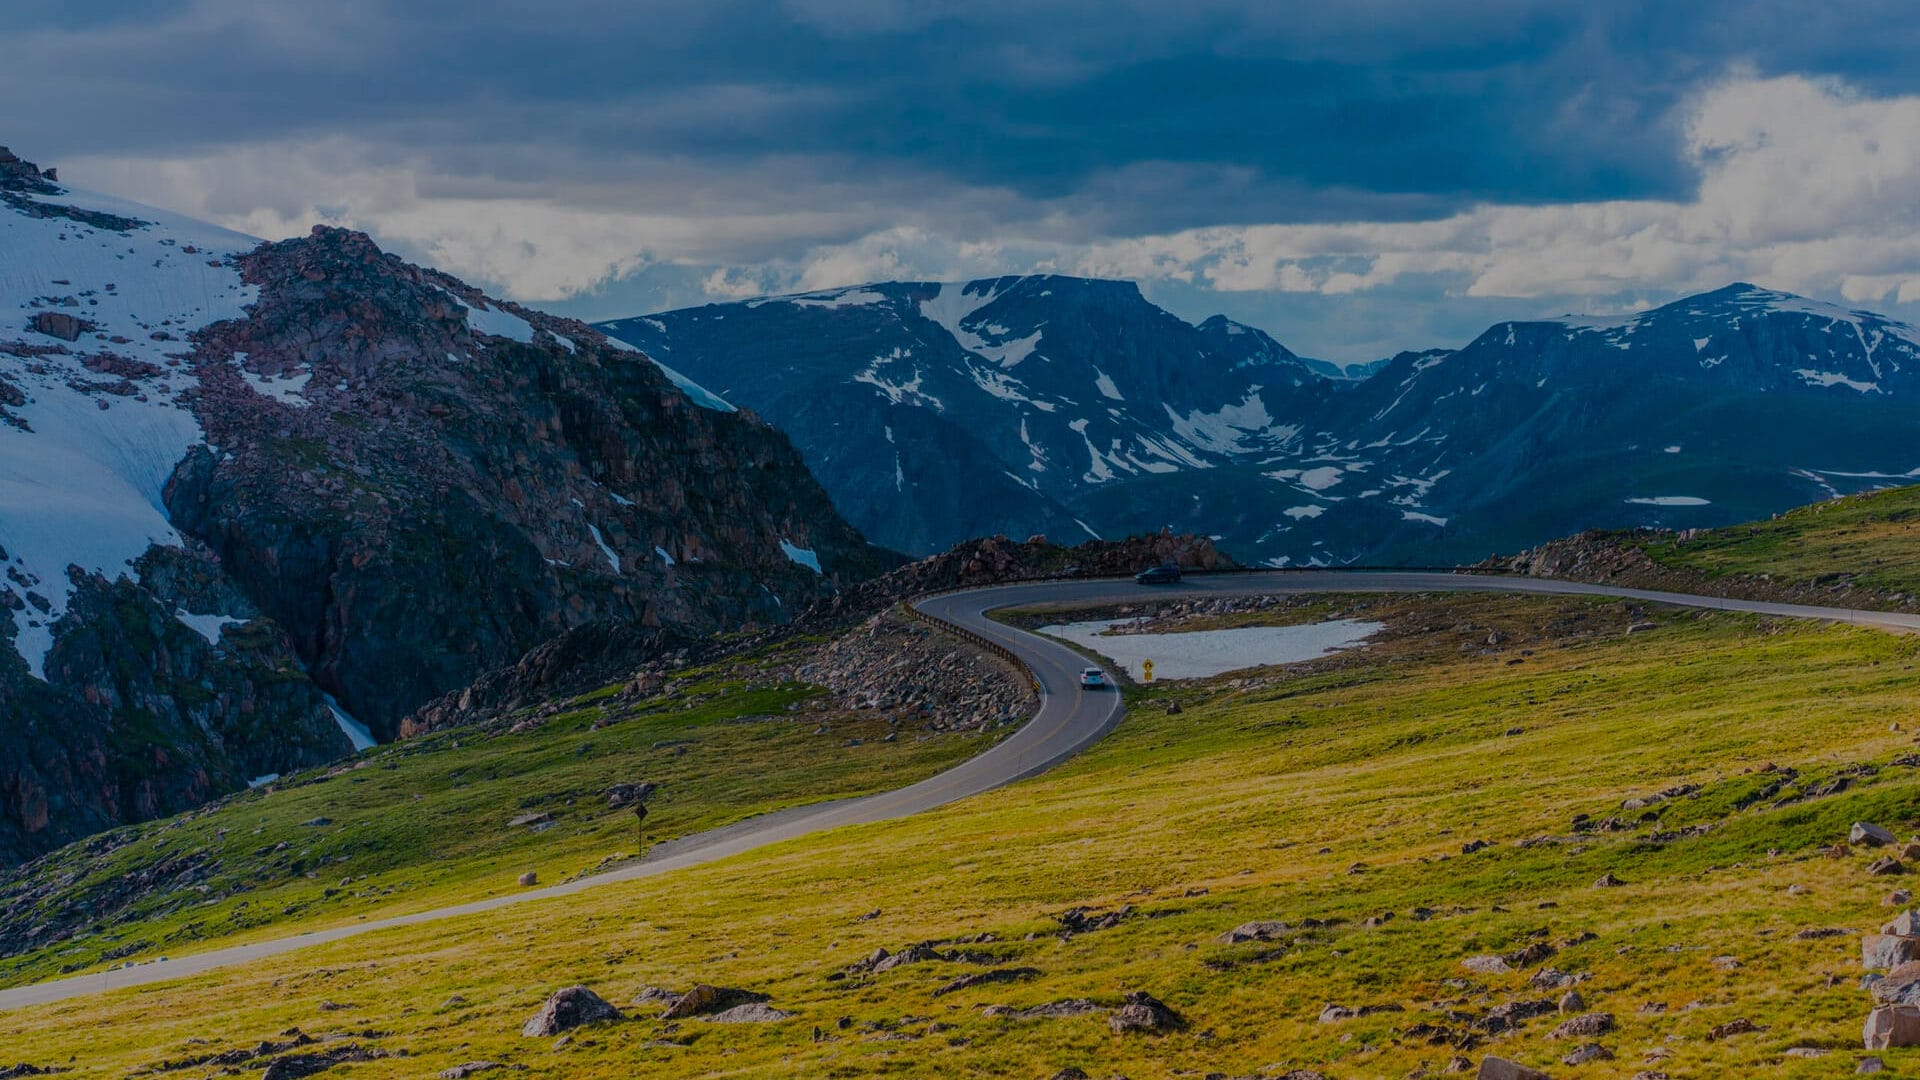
pixel 429 822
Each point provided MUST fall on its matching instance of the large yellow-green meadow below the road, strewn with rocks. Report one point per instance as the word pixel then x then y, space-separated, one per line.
pixel 1264 795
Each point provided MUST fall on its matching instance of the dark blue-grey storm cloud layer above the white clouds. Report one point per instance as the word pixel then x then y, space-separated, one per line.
pixel 1132 118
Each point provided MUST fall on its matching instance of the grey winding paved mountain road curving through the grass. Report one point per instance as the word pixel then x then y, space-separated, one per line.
pixel 1068 722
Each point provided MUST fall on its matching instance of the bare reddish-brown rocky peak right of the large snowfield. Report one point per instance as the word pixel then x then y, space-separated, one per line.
pixel 441 501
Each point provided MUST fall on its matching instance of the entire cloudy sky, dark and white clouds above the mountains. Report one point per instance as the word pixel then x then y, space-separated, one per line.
pixel 1358 178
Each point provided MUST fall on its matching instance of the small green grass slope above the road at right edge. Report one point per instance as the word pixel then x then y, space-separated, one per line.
pixel 1871 539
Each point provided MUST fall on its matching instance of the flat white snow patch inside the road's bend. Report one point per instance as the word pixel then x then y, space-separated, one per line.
pixel 1201 654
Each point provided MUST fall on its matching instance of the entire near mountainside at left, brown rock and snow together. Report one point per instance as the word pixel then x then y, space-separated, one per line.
pixel 264 501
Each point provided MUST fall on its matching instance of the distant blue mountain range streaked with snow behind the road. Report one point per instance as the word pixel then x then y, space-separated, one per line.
pixel 934 410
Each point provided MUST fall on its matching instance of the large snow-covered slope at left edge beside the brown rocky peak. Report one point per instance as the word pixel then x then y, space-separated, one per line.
pixel 105 420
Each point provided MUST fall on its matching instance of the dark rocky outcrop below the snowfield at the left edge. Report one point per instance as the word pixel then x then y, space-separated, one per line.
pixel 143 718
